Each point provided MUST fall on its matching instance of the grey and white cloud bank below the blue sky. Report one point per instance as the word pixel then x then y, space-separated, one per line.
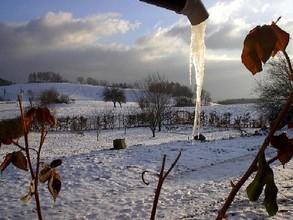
pixel 73 47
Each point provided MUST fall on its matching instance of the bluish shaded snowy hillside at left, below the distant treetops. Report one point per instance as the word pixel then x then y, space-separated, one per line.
pixel 74 91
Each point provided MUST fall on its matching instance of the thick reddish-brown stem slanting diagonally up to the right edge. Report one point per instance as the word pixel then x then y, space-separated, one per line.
pixel 251 169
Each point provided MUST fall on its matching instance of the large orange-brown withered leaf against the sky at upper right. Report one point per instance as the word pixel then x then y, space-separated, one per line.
pixel 261 43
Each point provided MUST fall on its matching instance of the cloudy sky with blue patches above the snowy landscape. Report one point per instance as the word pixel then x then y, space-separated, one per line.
pixel 125 40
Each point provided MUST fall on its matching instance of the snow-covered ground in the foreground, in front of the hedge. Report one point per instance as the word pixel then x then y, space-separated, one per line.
pixel 100 183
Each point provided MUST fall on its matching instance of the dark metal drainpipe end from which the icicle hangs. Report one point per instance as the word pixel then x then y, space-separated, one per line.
pixel 193 9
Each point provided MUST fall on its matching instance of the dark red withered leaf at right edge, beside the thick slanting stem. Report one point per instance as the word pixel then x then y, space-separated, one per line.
pixel 284 145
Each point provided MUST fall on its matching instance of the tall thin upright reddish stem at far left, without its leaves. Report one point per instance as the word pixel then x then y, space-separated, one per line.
pixel 33 175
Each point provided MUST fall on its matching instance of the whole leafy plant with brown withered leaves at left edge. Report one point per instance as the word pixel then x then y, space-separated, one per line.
pixel 28 158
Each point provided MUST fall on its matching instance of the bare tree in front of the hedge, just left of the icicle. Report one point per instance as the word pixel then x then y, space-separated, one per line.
pixel 154 101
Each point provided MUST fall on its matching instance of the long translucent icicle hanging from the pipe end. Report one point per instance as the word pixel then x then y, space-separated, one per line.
pixel 197 60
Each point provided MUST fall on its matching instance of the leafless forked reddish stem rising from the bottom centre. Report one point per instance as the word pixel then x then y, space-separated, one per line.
pixel 162 178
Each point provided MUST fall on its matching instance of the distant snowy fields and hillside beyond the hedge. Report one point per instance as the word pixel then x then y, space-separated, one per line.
pixel 88 101
